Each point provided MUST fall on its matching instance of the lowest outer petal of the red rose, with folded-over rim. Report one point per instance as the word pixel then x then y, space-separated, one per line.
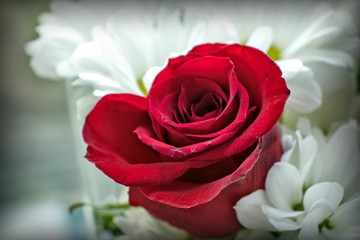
pixel 208 211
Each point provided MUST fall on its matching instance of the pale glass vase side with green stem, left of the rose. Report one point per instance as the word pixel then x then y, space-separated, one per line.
pixel 103 198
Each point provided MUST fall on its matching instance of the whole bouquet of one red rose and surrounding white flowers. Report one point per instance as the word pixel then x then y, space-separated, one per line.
pixel 204 120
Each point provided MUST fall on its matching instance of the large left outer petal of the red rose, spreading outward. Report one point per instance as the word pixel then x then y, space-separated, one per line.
pixel 110 147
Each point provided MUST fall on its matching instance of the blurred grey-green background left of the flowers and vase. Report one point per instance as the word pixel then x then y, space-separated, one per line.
pixel 39 177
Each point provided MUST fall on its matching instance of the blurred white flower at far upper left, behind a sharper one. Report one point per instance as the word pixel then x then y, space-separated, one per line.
pixel 61 30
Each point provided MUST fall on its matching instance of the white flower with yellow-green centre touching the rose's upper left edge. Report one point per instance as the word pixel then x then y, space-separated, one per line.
pixel 125 55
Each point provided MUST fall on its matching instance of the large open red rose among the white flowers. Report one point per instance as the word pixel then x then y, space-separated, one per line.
pixel 204 137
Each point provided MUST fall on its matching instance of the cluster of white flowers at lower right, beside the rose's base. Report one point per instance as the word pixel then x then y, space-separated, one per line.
pixel 313 189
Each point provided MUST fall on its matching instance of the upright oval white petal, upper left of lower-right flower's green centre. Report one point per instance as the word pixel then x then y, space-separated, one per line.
pixel 284 186
